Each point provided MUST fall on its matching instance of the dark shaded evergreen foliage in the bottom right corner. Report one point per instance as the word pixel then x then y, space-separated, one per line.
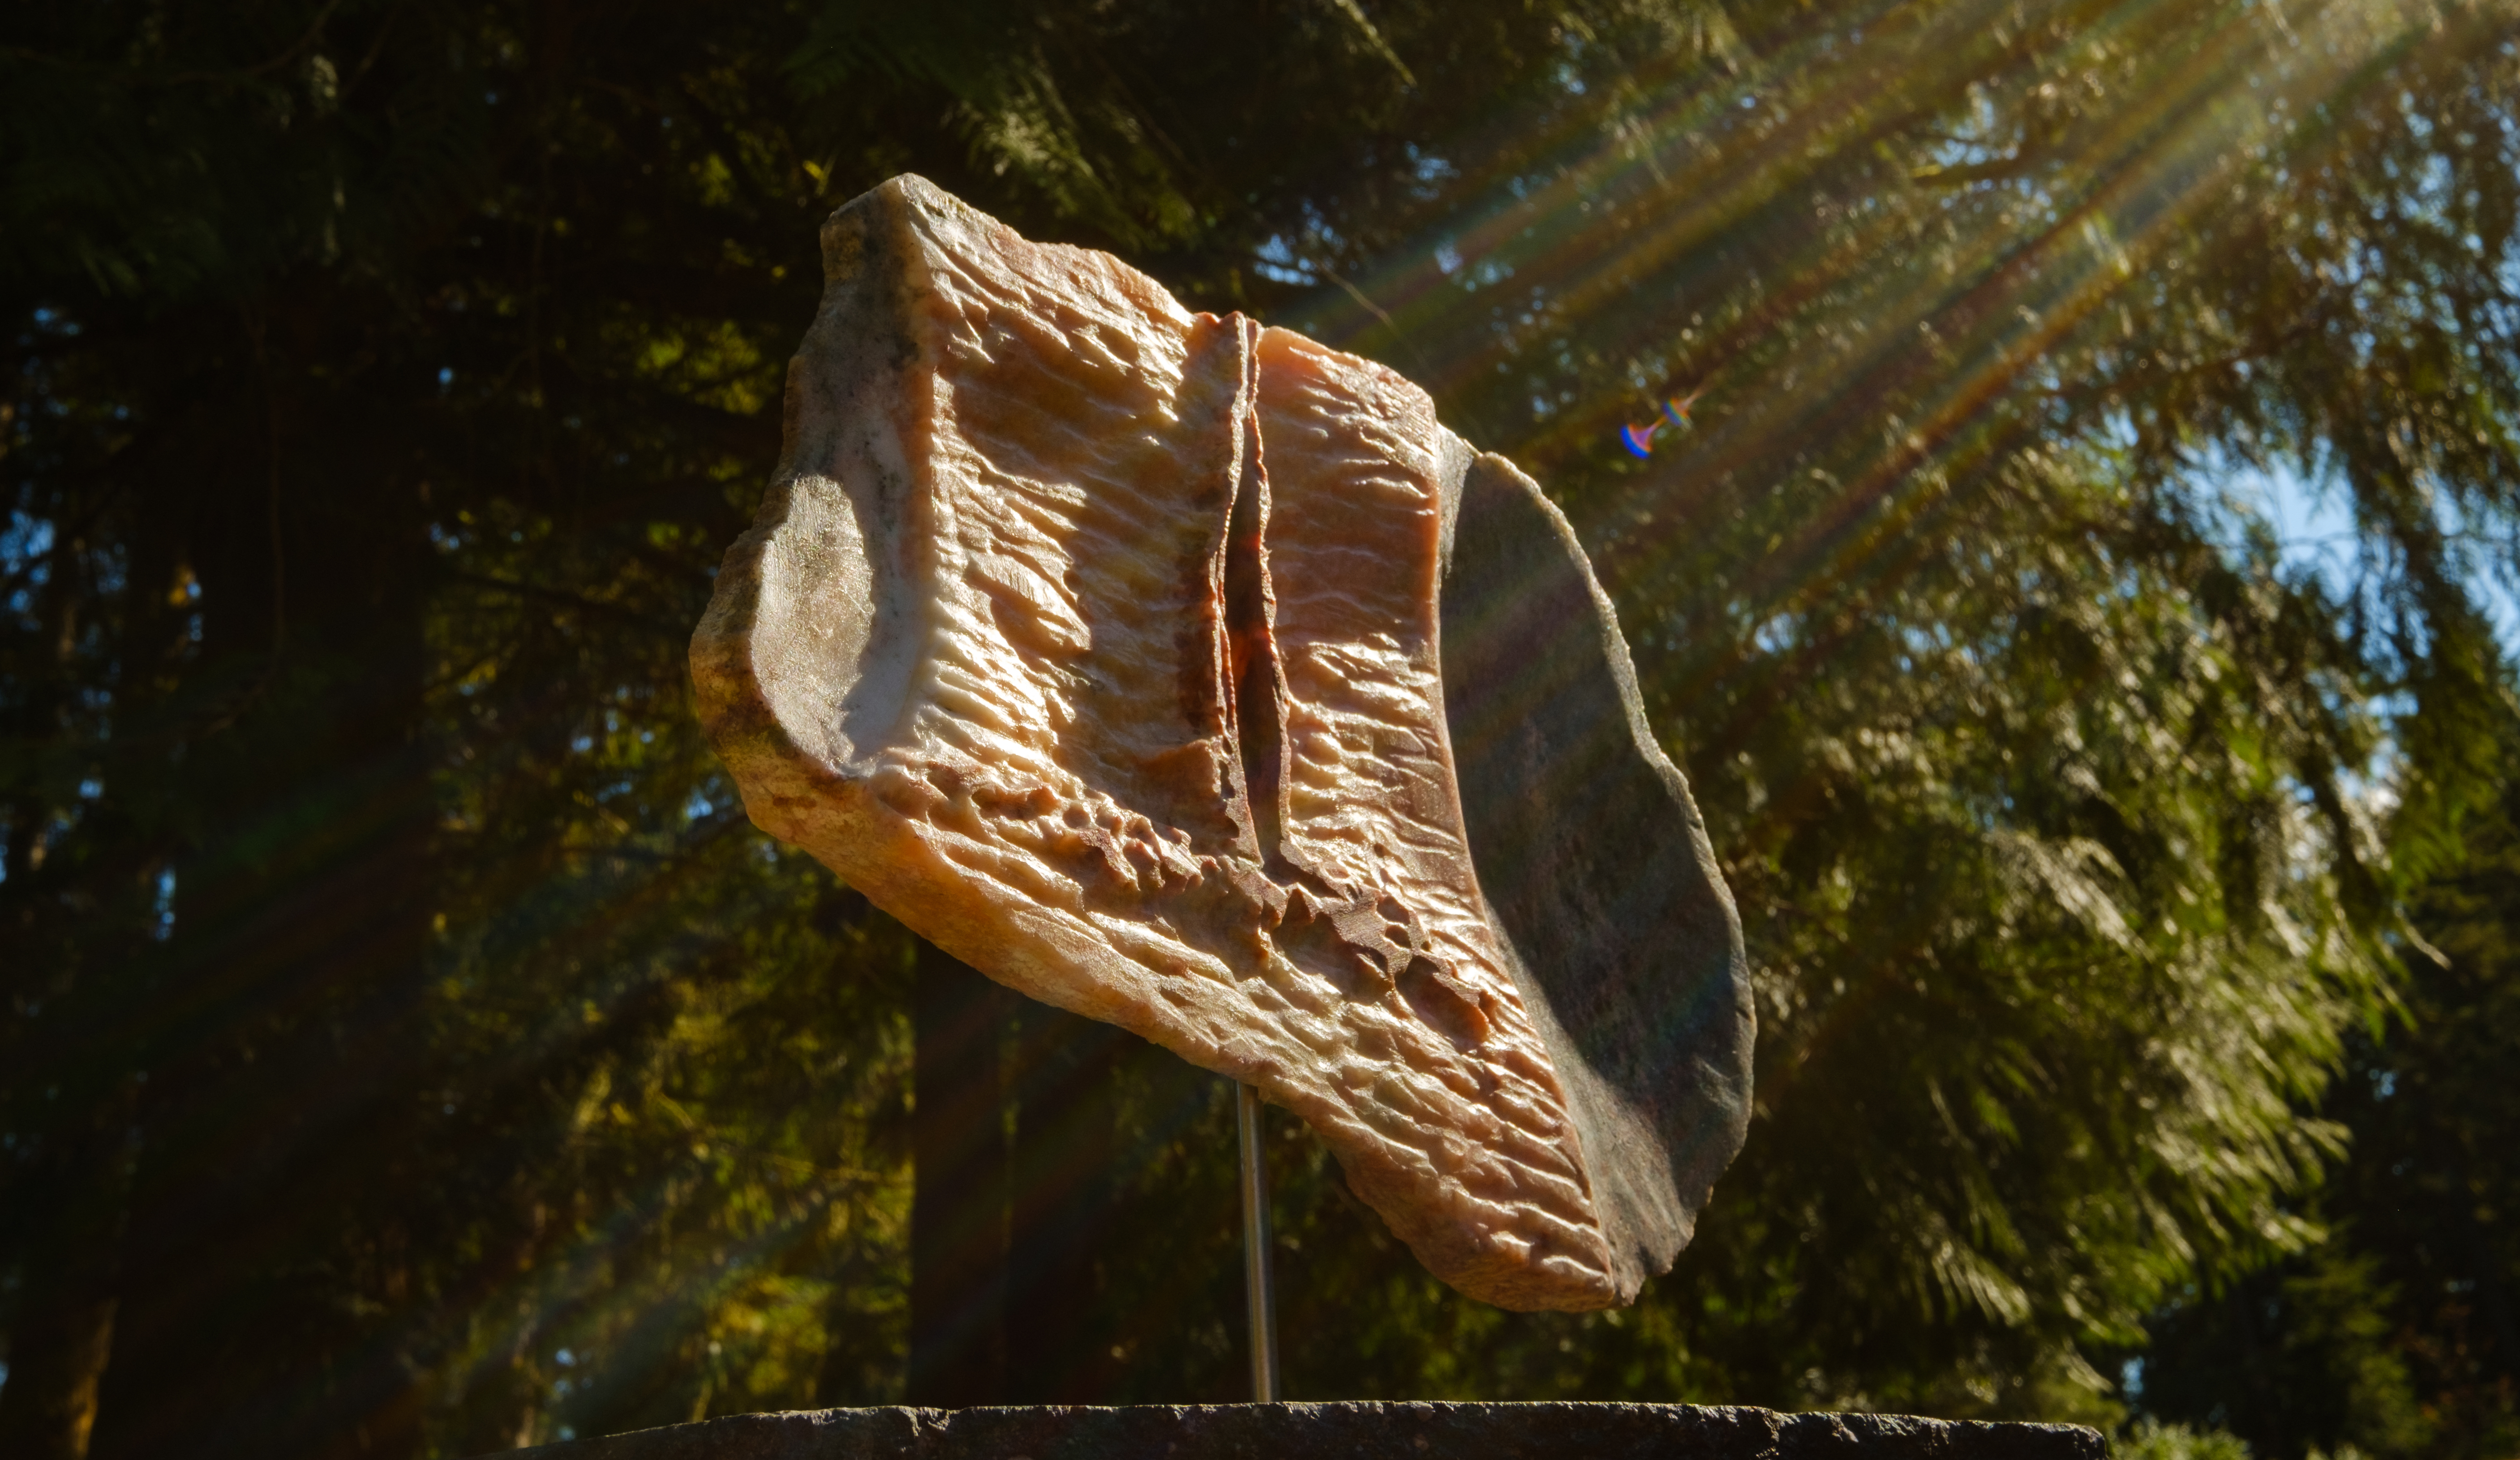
pixel 2395 1338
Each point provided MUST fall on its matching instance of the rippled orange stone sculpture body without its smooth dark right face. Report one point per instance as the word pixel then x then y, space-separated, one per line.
pixel 1100 642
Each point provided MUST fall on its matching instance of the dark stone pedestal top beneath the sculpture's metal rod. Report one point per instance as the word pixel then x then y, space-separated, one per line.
pixel 1344 1431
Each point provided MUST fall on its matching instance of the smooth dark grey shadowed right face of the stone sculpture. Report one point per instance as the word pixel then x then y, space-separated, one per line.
pixel 1594 859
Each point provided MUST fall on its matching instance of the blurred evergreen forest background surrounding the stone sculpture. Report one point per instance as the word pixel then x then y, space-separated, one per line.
pixel 2075 606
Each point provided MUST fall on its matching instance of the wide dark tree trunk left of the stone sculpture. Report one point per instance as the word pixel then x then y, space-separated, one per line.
pixel 278 1020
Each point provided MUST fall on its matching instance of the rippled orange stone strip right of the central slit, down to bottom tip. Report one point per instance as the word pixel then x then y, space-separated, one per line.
pixel 1478 1166
